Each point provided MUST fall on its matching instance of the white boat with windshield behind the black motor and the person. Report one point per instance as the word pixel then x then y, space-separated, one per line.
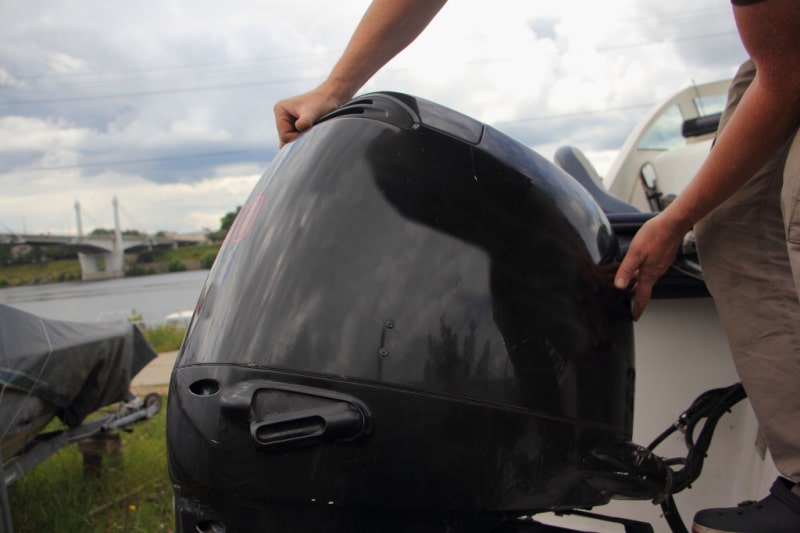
pixel 681 348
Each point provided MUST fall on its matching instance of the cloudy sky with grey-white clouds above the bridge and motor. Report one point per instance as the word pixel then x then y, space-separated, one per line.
pixel 167 104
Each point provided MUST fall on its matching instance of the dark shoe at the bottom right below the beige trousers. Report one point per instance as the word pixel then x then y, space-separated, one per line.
pixel 777 513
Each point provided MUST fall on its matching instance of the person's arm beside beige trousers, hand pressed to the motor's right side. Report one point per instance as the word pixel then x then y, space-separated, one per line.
pixel 768 113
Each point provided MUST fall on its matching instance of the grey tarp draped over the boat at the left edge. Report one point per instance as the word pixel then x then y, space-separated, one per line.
pixel 76 367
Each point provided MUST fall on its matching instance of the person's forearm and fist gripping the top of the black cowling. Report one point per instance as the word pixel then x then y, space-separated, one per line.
pixel 386 28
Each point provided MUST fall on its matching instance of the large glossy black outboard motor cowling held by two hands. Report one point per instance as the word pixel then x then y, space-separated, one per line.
pixel 411 326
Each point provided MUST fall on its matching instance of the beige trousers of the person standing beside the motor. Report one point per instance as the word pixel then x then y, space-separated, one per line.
pixel 749 249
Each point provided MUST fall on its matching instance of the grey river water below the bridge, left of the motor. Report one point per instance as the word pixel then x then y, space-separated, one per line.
pixel 154 297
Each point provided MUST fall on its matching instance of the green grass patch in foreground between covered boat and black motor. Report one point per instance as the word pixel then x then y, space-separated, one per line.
pixel 131 495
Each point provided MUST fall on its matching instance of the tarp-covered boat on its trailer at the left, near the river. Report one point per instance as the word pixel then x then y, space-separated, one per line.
pixel 68 370
